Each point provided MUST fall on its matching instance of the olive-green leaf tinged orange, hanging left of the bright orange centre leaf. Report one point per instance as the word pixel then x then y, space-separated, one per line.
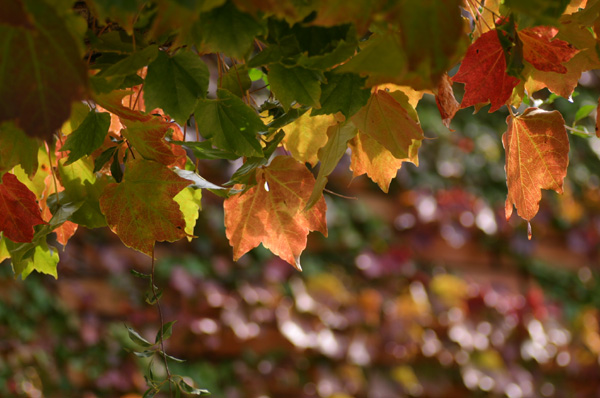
pixel 141 209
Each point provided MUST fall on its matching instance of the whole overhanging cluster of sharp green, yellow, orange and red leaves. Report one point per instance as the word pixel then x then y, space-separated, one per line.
pixel 96 100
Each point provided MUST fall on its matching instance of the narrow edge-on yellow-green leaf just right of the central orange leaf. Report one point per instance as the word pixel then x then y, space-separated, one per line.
pixel 330 155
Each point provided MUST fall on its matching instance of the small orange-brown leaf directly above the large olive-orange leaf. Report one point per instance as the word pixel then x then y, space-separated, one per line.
pixel 147 137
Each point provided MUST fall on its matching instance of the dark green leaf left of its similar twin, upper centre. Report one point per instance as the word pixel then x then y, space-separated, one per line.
pixel 295 84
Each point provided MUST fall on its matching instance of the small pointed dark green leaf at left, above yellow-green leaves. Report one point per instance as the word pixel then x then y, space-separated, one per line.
pixel 88 137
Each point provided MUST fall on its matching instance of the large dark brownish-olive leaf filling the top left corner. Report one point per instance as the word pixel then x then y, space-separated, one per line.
pixel 42 71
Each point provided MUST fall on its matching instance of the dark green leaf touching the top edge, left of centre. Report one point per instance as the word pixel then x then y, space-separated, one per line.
pixel 227 29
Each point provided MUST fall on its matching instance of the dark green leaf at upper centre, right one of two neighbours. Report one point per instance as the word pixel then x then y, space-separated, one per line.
pixel 343 92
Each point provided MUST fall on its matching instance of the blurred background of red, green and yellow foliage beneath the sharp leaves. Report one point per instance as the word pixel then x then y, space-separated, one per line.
pixel 424 292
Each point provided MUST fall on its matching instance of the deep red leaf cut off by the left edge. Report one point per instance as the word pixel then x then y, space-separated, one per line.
pixel 19 211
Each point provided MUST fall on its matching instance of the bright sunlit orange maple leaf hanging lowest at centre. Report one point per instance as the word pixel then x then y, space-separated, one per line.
pixel 272 212
